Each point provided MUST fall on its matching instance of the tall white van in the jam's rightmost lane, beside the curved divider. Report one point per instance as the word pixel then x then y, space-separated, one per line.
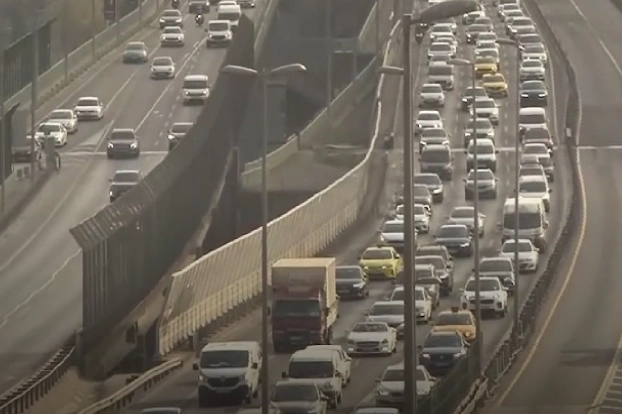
pixel 531 218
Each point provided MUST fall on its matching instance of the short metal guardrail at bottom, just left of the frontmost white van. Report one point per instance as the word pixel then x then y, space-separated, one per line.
pixel 128 394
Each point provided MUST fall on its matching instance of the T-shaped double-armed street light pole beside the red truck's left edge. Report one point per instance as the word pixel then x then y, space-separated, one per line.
pixel 263 77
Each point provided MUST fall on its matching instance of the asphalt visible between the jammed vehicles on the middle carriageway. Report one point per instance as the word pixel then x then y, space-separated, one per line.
pixel 180 389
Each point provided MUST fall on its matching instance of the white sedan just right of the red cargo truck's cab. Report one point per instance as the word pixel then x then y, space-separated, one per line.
pixel 370 338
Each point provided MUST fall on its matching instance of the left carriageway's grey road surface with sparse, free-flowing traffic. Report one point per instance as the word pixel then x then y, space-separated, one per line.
pixel 40 264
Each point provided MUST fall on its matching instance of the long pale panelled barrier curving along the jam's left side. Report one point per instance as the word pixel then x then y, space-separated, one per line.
pixel 214 286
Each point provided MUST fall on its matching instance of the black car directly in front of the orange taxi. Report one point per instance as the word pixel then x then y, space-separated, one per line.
pixel 442 350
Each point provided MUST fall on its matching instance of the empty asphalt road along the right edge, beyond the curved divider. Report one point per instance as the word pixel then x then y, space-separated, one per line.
pixel 579 337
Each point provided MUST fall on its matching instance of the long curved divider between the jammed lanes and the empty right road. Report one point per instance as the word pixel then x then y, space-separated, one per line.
pixel 517 337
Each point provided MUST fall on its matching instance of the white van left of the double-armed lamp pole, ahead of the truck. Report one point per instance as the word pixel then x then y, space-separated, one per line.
pixel 228 369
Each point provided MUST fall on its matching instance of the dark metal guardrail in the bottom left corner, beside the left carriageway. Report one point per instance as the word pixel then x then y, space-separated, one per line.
pixel 24 395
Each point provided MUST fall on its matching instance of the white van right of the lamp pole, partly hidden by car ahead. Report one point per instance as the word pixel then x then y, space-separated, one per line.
pixel 321 367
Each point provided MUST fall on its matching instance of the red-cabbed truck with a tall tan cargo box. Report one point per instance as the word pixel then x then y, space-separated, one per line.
pixel 304 304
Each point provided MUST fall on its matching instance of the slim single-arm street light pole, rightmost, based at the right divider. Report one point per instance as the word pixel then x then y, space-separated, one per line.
pixel 516 313
